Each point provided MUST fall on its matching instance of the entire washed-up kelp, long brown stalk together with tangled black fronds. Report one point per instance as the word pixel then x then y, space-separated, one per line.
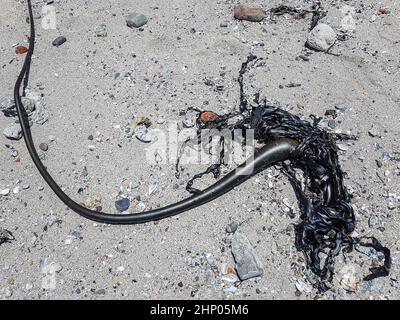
pixel 327 218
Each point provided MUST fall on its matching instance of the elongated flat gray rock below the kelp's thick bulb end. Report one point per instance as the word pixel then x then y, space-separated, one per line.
pixel 247 263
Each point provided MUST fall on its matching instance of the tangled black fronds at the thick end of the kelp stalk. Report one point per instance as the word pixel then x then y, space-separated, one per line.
pixel 326 215
